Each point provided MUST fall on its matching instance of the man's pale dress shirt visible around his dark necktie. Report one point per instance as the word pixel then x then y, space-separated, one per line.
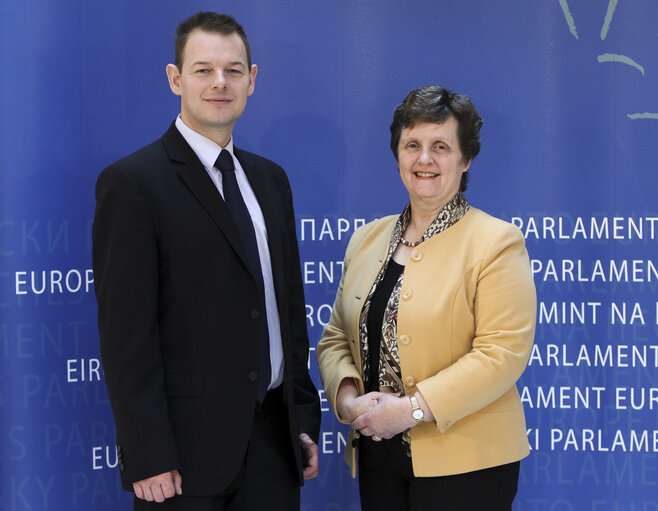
pixel 208 151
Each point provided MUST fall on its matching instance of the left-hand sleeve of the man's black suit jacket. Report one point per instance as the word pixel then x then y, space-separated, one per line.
pixel 125 264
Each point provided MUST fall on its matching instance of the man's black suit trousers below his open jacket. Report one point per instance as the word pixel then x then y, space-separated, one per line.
pixel 267 478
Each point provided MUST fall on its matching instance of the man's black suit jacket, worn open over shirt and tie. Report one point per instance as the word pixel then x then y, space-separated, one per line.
pixel 178 314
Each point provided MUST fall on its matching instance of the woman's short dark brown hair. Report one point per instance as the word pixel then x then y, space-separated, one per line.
pixel 436 104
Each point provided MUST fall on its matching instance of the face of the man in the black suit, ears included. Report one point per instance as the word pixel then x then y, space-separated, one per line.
pixel 213 84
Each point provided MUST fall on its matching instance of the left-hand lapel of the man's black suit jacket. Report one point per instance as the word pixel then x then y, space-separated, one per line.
pixel 197 179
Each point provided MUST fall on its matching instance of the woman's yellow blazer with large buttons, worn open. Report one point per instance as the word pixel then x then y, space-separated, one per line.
pixel 466 323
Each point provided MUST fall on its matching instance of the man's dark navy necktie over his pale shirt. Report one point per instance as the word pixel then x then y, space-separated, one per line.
pixel 242 219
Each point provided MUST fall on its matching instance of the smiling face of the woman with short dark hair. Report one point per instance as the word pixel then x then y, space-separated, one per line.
pixel 431 163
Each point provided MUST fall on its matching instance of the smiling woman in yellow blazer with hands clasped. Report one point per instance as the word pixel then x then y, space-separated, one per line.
pixel 432 326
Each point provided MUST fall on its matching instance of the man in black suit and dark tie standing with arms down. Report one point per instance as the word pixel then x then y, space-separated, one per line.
pixel 201 306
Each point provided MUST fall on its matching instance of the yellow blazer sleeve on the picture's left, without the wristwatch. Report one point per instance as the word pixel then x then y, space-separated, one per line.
pixel 335 359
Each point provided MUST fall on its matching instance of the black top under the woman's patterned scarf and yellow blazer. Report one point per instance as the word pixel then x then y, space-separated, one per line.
pixel 376 318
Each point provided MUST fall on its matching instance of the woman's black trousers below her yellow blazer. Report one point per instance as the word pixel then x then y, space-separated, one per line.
pixel 386 481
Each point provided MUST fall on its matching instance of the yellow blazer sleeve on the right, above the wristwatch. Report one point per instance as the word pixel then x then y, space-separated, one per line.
pixel 505 309
